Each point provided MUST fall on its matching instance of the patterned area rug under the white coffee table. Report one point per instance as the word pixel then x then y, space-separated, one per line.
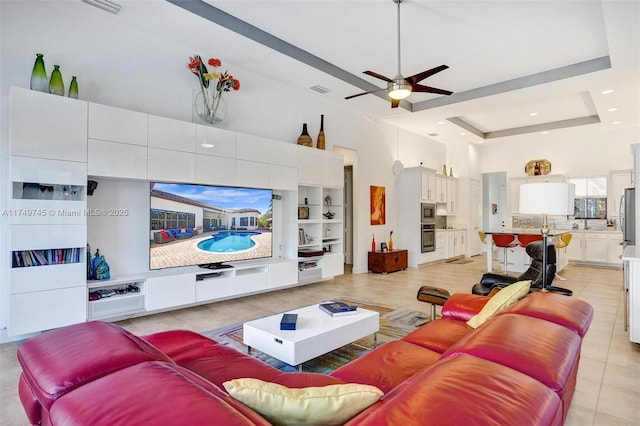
pixel 394 324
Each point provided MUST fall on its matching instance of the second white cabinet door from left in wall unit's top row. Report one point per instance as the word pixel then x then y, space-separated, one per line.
pixel 113 124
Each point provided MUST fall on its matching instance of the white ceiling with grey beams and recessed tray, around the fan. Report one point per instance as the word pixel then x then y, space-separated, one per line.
pixel 507 59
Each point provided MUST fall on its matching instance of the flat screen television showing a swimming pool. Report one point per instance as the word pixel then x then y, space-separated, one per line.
pixel 208 225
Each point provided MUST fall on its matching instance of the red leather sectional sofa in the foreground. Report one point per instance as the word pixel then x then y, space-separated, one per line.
pixel 519 368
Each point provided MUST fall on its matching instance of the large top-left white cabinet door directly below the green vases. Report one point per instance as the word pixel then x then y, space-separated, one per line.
pixel 47 126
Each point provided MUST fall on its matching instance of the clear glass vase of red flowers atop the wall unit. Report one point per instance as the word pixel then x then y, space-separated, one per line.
pixel 213 85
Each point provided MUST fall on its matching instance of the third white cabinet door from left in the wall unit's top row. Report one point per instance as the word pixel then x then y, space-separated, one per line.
pixel 172 134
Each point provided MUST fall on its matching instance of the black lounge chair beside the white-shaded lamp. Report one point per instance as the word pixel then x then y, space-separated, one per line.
pixel 490 280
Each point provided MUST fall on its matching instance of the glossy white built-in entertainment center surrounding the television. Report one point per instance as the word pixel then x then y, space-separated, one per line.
pixel 57 144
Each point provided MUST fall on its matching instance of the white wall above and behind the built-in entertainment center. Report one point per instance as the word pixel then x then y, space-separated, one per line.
pixel 121 66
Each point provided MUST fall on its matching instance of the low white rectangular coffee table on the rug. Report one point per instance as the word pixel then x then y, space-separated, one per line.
pixel 317 333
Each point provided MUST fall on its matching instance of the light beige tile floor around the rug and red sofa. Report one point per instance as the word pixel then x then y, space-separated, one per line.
pixel 608 388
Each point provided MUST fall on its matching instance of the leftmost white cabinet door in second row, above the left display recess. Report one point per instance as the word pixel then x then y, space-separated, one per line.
pixel 118 160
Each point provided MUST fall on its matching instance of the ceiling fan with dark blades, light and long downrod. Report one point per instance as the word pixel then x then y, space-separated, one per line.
pixel 399 87
